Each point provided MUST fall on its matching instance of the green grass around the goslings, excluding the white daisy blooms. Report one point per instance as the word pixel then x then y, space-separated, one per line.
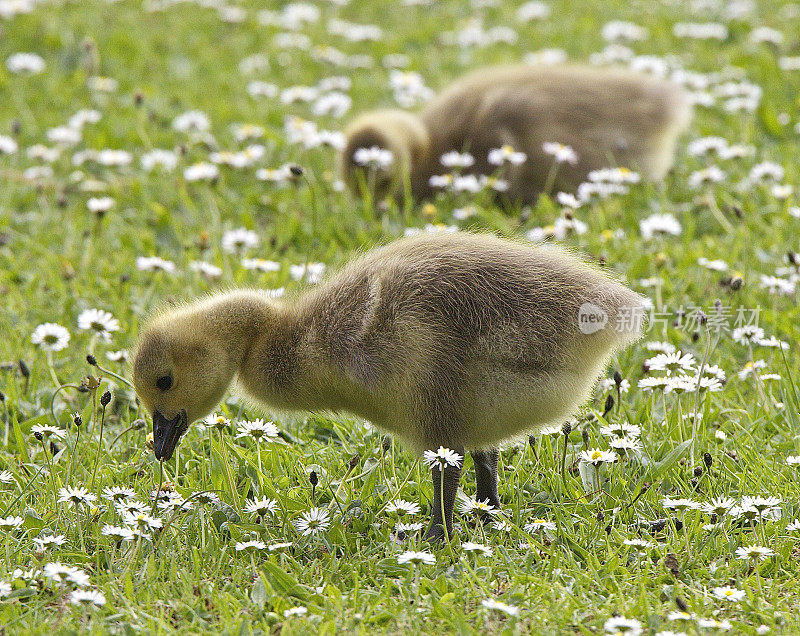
pixel 57 259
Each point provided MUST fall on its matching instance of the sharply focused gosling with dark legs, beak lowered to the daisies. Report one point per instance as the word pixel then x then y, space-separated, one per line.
pixel 454 340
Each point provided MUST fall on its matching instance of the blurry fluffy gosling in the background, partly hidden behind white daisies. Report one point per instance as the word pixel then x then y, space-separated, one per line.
pixel 609 117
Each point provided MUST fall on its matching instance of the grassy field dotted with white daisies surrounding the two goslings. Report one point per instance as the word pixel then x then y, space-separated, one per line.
pixel 694 528
